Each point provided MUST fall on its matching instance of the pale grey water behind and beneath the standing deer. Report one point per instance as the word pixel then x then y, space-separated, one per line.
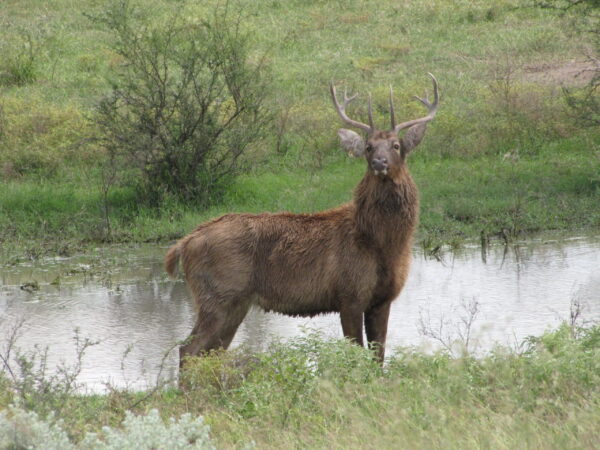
pixel 122 298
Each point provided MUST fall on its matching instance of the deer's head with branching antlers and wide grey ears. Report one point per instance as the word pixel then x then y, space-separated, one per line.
pixel 385 151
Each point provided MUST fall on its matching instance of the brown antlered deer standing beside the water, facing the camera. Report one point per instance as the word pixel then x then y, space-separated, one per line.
pixel 353 259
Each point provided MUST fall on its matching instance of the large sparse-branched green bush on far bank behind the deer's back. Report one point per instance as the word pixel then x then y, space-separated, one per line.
pixel 186 103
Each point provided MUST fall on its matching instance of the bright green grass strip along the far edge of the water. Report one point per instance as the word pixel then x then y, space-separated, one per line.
pixel 556 189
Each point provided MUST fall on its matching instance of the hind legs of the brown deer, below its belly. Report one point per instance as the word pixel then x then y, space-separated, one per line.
pixel 215 327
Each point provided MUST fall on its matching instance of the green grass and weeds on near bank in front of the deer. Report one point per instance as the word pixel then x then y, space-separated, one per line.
pixel 309 393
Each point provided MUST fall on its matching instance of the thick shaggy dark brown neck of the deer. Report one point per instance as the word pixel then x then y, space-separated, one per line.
pixel 386 209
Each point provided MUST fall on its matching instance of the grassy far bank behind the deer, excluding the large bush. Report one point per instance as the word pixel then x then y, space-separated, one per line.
pixel 505 154
